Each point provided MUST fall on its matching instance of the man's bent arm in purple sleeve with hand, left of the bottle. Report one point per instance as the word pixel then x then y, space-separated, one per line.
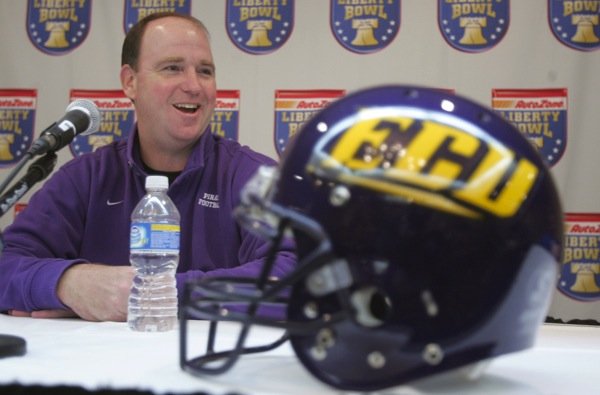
pixel 42 273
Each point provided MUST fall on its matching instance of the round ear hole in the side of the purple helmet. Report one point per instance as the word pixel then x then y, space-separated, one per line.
pixel 372 307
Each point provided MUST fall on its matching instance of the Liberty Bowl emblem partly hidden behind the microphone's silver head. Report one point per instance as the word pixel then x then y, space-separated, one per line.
pixel 117 119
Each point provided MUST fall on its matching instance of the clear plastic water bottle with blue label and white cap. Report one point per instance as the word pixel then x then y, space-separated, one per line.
pixel 154 253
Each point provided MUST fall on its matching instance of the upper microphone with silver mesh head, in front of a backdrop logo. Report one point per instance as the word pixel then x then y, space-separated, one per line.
pixel 82 117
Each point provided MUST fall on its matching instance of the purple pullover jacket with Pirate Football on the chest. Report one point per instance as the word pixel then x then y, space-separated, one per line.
pixel 82 214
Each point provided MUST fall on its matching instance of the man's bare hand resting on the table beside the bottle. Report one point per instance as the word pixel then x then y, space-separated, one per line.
pixel 95 292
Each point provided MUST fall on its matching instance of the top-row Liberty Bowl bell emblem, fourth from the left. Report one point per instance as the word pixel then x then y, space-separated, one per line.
pixel 365 26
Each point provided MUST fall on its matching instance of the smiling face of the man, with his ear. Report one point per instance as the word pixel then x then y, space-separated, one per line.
pixel 174 87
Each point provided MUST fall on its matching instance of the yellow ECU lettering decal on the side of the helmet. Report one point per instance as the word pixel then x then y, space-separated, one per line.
pixel 428 163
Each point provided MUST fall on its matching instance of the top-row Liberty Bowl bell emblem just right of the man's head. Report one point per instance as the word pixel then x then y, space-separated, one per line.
pixel 259 27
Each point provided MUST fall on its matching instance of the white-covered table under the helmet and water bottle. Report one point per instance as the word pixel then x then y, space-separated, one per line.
pixel 91 355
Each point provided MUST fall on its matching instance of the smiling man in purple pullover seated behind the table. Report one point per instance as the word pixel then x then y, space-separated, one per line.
pixel 67 254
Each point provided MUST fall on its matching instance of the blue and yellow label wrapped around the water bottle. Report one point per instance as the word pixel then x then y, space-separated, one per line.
pixel 150 237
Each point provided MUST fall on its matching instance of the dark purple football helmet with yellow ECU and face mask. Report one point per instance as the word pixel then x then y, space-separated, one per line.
pixel 428 233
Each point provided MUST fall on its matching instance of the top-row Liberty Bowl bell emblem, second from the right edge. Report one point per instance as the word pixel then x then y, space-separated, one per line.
pixel 473 25
